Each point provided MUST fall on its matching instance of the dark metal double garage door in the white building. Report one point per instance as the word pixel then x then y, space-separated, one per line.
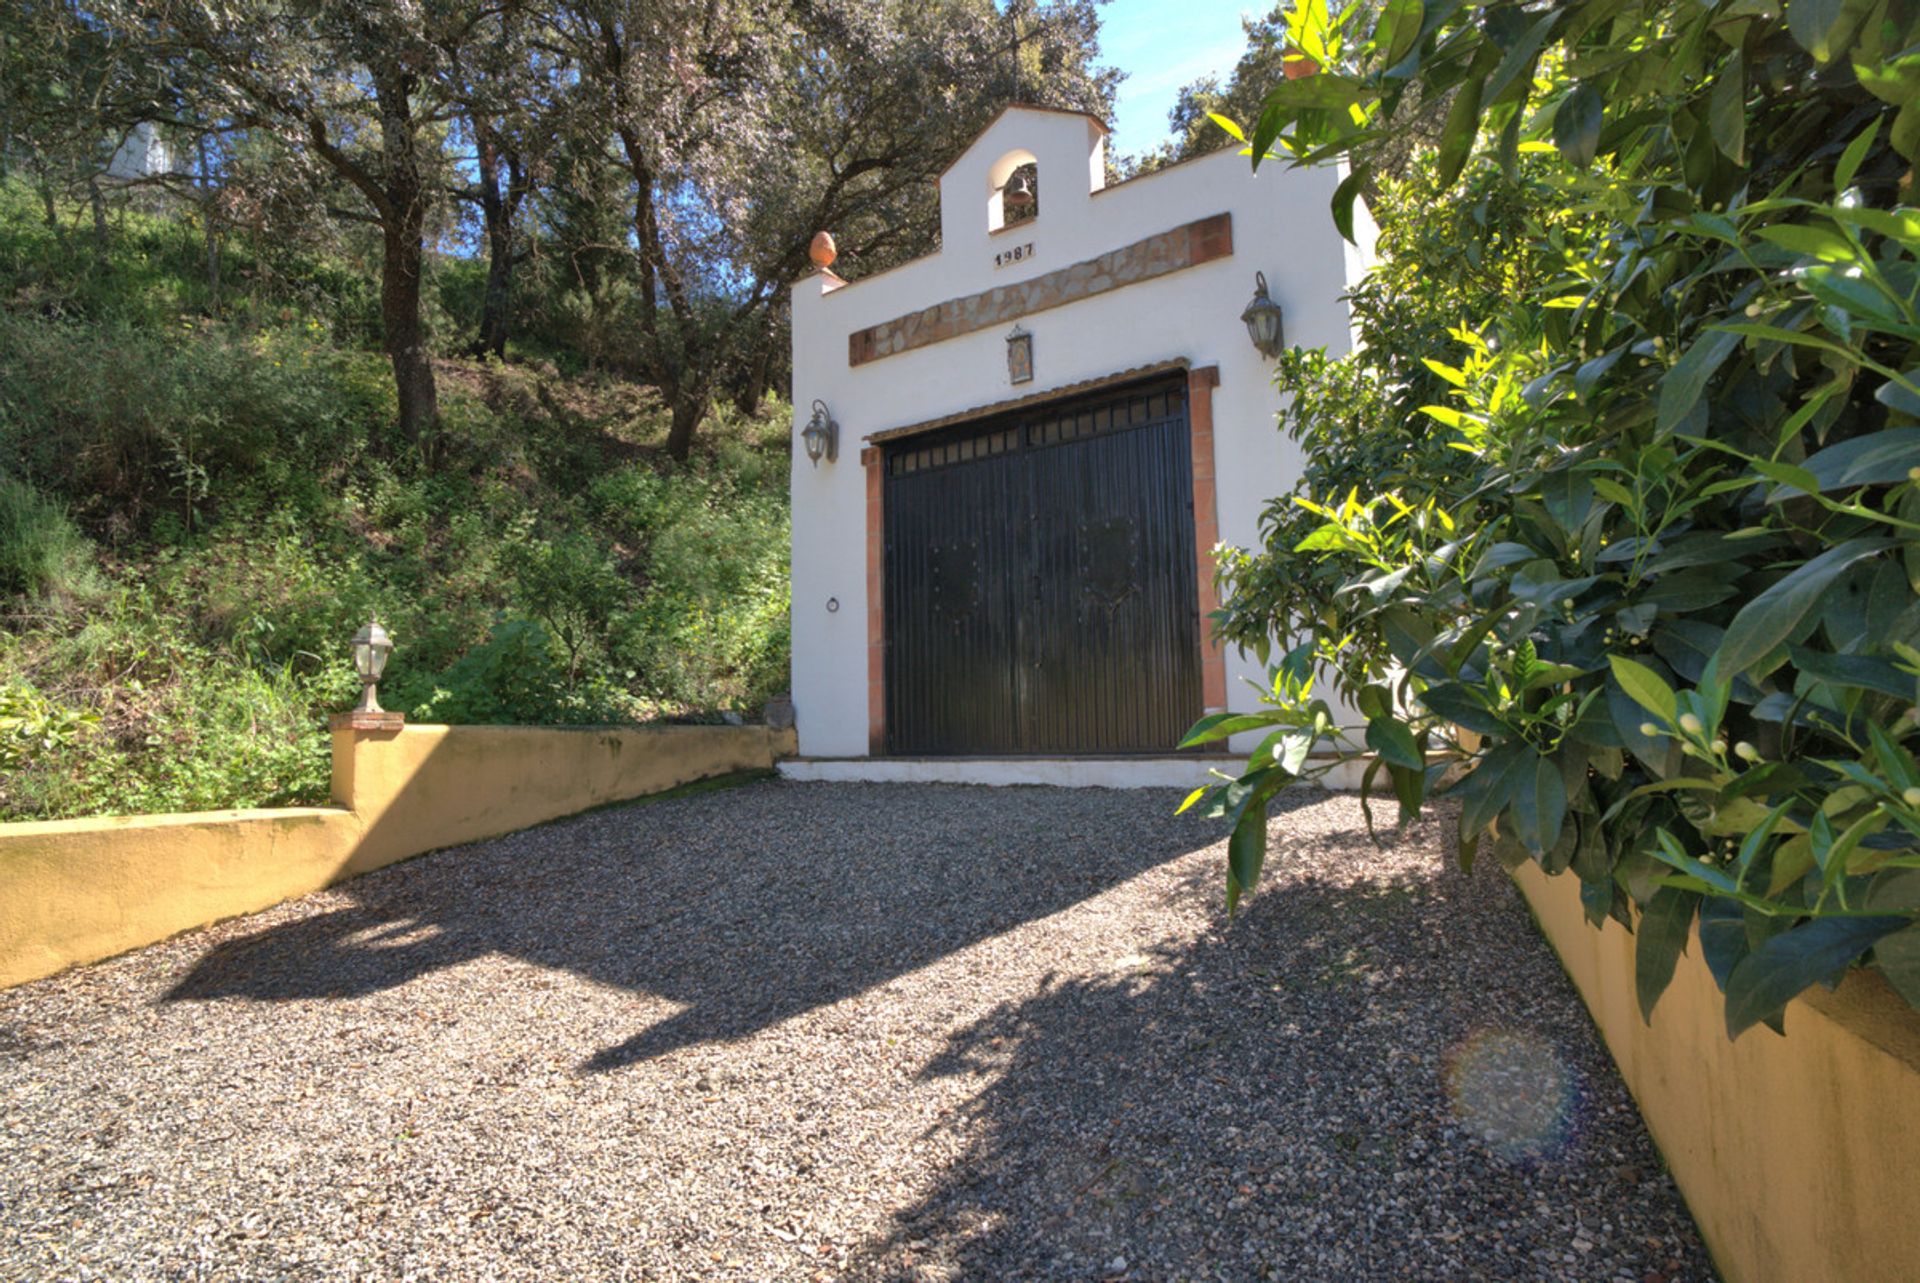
pixel 1042 587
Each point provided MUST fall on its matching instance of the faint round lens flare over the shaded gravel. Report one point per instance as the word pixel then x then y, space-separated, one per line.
pixel 1512 1092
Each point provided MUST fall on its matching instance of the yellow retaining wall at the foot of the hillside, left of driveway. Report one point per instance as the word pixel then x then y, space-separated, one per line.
pixel 85 890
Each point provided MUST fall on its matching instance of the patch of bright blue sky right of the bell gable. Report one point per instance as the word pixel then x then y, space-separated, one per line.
pixel 1164 45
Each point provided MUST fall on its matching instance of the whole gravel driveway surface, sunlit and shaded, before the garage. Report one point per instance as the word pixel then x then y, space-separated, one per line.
pixel 823 1030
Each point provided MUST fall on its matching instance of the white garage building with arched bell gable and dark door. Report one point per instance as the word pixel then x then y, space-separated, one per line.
pixel 1042 433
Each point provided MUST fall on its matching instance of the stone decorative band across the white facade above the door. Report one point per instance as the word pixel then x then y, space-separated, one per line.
pixel 1143 260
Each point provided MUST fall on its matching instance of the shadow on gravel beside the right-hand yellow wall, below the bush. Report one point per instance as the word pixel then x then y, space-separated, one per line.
pixel 1360 1078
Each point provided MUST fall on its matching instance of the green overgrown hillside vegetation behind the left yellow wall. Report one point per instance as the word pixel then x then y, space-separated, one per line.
pixel 203 498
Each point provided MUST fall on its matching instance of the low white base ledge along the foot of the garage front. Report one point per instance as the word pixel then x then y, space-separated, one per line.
pixel 1099 773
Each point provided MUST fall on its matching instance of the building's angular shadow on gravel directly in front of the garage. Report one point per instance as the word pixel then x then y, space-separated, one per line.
pixel 750 906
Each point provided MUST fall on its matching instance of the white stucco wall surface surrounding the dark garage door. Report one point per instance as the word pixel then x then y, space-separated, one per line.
pixel 1282 226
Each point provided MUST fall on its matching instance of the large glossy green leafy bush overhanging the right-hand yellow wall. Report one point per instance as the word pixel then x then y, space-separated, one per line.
pixel 1673 594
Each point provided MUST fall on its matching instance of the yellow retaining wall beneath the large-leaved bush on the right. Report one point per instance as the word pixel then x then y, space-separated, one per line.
pixel 1798 1155
